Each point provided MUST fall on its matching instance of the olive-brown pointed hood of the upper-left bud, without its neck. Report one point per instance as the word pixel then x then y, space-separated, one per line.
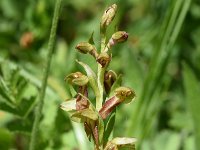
pixel 84 47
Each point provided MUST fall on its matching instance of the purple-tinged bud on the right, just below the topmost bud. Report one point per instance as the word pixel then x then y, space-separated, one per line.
pixel 118 37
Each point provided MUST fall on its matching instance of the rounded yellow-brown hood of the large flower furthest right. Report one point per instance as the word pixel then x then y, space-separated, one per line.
pixel 125 94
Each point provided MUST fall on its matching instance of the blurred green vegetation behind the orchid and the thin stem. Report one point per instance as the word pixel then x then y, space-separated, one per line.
pixel 160 61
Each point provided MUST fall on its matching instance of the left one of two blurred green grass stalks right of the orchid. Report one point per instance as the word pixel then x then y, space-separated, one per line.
pixel 145 95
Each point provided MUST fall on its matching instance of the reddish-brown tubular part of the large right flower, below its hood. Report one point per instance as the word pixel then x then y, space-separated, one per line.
pixel 108 107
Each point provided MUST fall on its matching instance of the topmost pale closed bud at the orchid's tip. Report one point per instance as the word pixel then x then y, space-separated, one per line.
pixel 108 16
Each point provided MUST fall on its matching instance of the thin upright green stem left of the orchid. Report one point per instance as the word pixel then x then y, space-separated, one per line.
pixel 51 43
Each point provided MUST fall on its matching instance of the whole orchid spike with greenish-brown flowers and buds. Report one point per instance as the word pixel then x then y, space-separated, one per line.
pixel 98 115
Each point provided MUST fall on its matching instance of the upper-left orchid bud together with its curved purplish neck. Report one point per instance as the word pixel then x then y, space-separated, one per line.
pixel 85 47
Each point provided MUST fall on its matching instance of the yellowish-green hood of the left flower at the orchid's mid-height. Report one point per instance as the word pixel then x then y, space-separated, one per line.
pixel 77 78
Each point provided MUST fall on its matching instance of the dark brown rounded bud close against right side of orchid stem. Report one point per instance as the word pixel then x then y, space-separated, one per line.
pixel 109 78
